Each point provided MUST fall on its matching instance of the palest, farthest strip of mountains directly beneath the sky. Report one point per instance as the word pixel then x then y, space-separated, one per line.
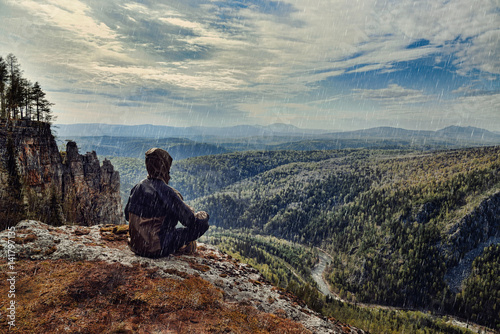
pixel 272 134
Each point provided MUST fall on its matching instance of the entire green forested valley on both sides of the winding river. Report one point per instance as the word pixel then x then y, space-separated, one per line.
pixel 397 224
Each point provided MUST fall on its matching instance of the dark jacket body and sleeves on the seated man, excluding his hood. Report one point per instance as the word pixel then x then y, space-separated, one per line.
pixel 153 209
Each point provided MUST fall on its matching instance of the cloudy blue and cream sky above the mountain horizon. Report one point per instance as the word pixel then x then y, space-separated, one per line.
pixel 336 65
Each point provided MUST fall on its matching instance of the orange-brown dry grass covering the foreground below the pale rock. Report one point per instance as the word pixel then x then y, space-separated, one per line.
pixel 96 297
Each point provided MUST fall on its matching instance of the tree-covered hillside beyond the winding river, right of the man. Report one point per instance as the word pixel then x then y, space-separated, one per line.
pixel 395 222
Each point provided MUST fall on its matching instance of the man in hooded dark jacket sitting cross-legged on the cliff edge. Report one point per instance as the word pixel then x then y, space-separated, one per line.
pixel 154 208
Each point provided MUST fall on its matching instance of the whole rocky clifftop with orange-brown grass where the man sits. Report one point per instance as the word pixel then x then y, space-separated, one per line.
pixel 85 279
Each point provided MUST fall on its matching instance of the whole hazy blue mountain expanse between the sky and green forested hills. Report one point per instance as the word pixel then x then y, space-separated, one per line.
pixel 134 140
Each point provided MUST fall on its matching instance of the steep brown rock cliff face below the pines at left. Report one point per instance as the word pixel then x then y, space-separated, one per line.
pixel 76 189
